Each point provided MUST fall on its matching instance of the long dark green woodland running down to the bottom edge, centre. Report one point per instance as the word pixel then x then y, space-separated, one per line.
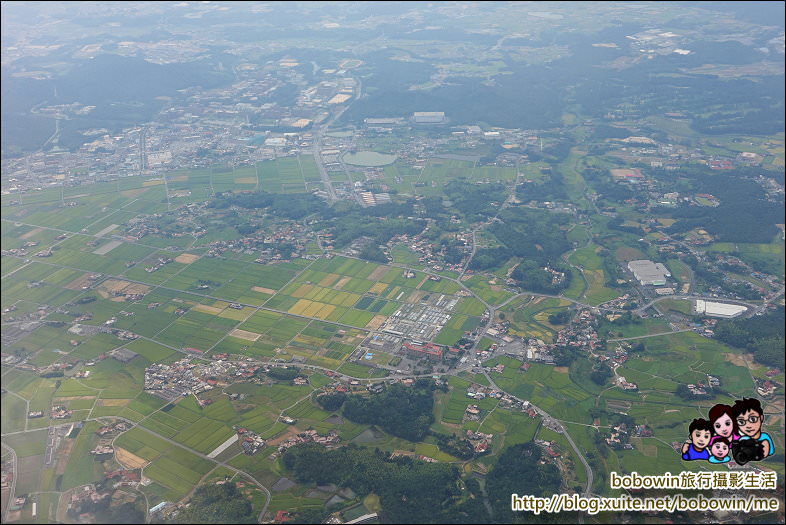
pixel 409 491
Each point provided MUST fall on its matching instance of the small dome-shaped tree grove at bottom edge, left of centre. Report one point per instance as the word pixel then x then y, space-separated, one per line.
pixel 217 504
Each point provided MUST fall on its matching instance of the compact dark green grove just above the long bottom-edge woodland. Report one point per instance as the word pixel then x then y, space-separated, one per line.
pixel 401 411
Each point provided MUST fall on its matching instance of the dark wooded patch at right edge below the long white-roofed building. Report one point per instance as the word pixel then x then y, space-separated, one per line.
pixel 762 335
